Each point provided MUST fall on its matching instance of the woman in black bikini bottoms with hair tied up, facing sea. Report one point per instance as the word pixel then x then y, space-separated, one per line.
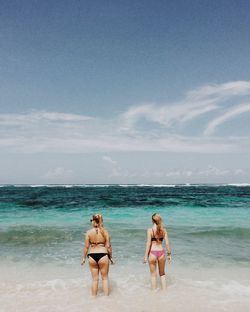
pixel 98 249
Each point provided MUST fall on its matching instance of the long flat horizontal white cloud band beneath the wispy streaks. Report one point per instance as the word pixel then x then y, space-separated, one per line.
pixel 115 144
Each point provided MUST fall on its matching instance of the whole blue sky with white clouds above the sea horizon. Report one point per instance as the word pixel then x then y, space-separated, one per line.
pixel 148 92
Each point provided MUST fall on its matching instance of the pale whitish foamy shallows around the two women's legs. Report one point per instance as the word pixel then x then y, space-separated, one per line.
pixel 51 288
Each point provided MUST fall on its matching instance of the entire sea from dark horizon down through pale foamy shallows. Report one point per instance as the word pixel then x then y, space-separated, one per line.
pixel 42 232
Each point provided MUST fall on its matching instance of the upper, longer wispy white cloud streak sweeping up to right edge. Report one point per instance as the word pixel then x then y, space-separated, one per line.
pixel 196 103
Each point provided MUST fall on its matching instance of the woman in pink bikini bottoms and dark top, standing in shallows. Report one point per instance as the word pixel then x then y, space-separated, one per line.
pixel 154 253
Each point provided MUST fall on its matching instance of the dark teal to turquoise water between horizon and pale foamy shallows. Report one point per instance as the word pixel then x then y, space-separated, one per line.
pixel 207 225
